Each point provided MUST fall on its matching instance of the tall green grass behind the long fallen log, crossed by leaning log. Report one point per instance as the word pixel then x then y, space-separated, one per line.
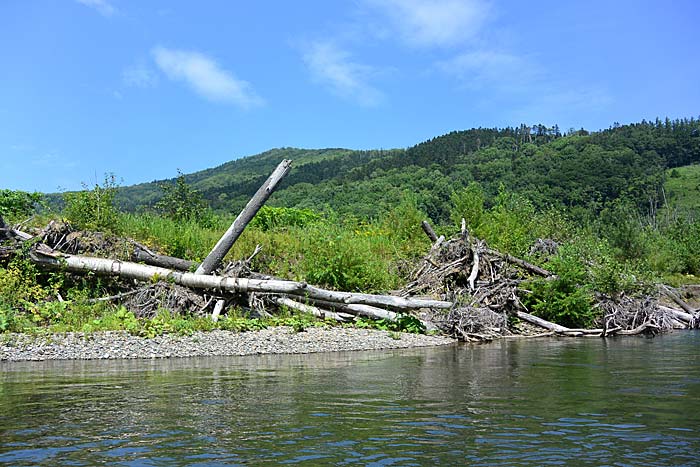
pixel 344 254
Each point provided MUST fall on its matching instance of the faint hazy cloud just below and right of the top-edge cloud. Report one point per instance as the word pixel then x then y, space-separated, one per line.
pixel 490 69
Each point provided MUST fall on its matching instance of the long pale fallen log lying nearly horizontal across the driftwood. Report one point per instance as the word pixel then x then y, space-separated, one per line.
pixel 76 263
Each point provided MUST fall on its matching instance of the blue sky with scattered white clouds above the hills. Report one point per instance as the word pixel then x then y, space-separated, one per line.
pixel 143 88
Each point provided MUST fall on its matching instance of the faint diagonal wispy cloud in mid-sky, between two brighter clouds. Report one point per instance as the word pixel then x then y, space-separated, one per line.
pixel 333 68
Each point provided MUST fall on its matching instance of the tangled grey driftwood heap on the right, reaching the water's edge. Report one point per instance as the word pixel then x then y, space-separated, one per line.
pixel 485 287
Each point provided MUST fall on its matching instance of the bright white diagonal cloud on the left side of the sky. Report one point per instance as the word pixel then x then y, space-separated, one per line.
pixel 205 77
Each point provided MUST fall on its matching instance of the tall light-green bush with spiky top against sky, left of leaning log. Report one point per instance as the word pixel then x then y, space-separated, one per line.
pixel 93 209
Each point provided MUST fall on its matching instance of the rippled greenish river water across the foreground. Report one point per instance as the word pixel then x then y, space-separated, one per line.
pixel 622 401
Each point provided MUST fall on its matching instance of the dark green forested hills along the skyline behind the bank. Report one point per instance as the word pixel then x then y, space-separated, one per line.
pixel 577 169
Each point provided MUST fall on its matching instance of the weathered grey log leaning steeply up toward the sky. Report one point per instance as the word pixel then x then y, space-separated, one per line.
pixel 213 260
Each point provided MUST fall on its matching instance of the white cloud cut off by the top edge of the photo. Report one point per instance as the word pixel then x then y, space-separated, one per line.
pixel 432 23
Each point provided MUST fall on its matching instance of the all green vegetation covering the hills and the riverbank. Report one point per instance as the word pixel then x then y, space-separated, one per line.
pixel 622 203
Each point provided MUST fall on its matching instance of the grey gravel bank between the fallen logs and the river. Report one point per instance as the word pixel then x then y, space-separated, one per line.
pixel 105 345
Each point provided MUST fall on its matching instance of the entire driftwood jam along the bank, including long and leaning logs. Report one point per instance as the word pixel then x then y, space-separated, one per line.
pixel 461 287
